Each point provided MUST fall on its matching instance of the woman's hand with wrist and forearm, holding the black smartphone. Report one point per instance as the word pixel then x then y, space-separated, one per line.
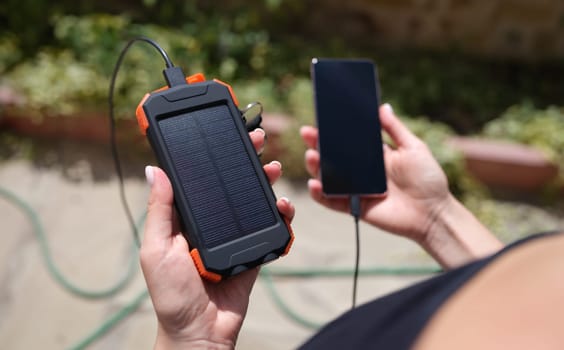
pixel 418 203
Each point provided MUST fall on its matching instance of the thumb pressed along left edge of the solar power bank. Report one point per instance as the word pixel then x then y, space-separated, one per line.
pixel 159 224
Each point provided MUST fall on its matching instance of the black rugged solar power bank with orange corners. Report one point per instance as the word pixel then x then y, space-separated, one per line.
pixel 225 203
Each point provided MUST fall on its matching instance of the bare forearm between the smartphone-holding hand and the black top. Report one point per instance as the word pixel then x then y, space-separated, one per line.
pixel 456 237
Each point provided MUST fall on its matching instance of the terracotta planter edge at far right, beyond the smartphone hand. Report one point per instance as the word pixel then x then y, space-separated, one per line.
pixel 505 165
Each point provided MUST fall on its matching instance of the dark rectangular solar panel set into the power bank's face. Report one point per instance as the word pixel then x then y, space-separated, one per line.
pixel 219 182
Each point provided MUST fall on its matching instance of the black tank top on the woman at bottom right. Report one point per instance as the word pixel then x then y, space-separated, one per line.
pixel 396 320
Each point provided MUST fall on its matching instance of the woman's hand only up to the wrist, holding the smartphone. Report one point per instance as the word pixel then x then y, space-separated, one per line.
pixel 417 186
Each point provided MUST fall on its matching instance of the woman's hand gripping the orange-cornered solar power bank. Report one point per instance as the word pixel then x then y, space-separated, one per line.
pixel 192 312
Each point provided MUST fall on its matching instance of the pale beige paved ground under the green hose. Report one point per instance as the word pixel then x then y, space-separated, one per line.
pixel 75 195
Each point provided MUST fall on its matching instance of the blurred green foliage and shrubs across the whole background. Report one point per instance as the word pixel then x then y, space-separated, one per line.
pixel 59 57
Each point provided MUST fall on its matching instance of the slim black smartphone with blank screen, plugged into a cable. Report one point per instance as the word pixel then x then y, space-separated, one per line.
pixel 346 98
